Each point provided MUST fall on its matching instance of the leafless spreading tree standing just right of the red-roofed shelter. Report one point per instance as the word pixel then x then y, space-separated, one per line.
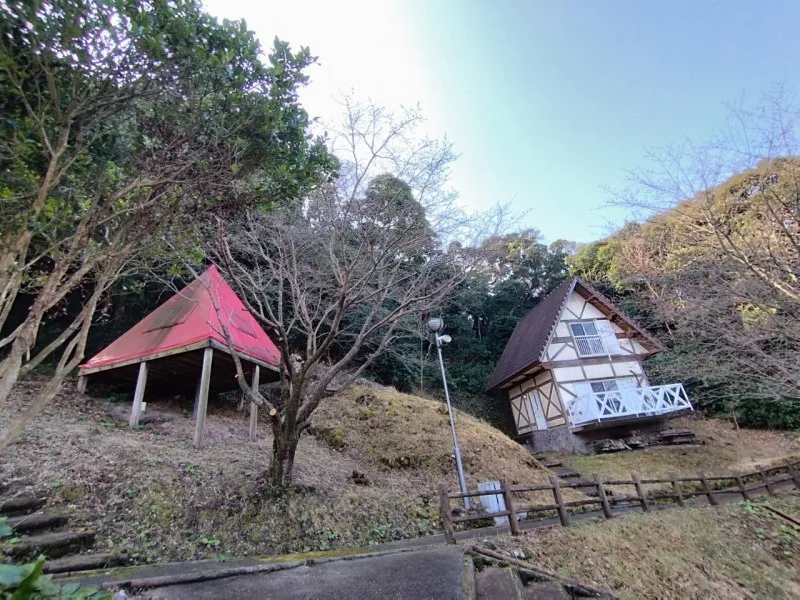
pixel 337 281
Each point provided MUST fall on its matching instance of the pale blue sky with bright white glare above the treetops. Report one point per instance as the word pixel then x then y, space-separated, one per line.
pixel 546 102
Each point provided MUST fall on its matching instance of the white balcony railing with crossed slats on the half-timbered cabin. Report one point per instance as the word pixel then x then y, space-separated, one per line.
pixel 637 402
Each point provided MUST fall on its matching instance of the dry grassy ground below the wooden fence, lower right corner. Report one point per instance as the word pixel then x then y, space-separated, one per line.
pixel 736 551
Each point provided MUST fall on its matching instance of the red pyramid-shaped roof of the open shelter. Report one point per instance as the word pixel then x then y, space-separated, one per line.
pixel 189 318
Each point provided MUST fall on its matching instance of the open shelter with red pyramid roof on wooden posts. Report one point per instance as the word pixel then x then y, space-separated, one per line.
pixel 180 347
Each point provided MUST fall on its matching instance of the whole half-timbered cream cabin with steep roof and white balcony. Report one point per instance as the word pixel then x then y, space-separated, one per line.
pixel 573 372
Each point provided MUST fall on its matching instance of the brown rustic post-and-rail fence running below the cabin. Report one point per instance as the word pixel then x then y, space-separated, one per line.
pixel 710 487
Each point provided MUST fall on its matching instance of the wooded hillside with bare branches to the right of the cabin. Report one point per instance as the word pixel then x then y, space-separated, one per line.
pixel 716 273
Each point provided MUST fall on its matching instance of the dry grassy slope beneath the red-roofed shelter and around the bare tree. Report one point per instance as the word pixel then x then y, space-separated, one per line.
pixel 148 491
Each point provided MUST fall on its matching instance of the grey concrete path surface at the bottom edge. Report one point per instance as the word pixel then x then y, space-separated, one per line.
pixel 440 573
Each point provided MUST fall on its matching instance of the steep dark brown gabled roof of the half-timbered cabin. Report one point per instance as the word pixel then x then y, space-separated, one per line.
pixel 531 336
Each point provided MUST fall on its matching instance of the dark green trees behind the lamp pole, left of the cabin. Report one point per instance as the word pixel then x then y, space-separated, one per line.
pixel 515 272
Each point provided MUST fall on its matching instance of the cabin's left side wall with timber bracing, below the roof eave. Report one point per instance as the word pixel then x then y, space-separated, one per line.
pixel 535 404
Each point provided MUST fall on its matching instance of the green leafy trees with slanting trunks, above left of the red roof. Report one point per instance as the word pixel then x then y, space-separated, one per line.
pixel 125 126
